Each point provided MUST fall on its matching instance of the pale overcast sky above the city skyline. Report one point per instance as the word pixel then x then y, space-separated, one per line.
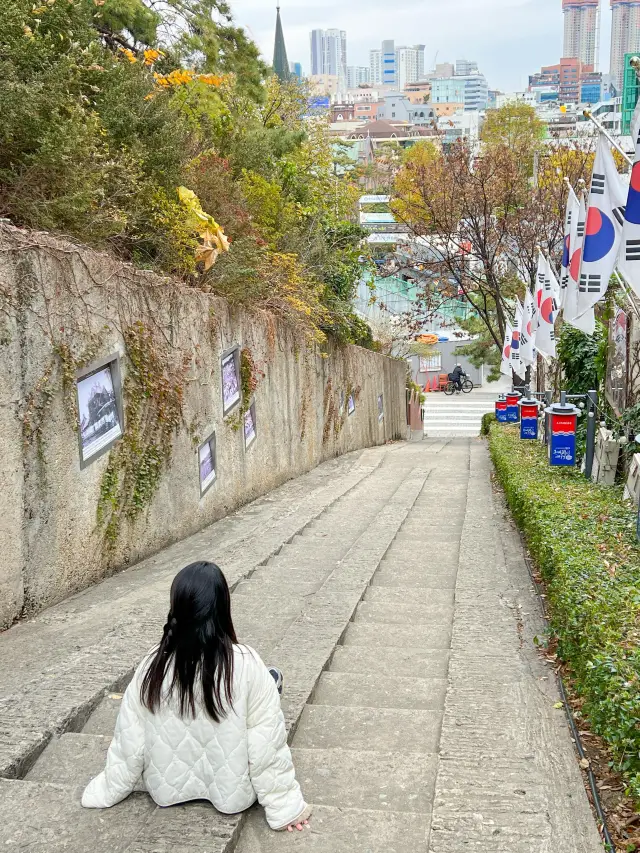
pixel 510 39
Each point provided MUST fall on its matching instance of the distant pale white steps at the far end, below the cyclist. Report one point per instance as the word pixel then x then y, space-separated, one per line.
pixel 456 416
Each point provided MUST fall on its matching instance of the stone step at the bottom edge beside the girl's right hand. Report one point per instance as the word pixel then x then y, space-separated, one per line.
pixel 337 830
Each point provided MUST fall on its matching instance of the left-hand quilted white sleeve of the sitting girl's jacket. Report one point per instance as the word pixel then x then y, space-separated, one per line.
pixel 125 758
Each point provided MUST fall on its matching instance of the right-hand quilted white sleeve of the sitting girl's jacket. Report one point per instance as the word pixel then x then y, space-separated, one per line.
pixel 270 762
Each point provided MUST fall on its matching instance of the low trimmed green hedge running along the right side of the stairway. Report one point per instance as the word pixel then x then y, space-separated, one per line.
pixel 582 538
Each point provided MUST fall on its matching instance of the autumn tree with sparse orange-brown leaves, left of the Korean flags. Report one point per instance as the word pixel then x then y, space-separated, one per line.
pixel 484 216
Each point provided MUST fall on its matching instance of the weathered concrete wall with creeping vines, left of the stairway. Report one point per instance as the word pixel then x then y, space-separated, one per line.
pixel 53 295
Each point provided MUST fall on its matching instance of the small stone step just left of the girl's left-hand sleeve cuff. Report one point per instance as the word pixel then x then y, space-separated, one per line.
pixel 72 759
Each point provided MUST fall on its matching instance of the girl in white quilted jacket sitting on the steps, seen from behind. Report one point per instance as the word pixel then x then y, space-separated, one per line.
pixel 201 719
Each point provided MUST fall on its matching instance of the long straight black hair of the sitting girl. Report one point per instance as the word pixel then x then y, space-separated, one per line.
pixel 198 639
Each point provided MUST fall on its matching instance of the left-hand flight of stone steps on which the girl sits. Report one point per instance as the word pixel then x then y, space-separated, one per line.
pixel 293 610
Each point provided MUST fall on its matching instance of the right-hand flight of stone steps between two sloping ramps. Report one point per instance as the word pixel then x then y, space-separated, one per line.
pixel 367 742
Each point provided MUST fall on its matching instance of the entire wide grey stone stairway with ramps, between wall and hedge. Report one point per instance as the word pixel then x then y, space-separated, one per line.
pixel 392 591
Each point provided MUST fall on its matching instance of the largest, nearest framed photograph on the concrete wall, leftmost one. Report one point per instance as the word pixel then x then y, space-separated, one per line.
pixel 100 410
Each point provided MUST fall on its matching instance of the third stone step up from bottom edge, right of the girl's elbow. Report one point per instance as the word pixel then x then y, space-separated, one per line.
pixel 378 729
